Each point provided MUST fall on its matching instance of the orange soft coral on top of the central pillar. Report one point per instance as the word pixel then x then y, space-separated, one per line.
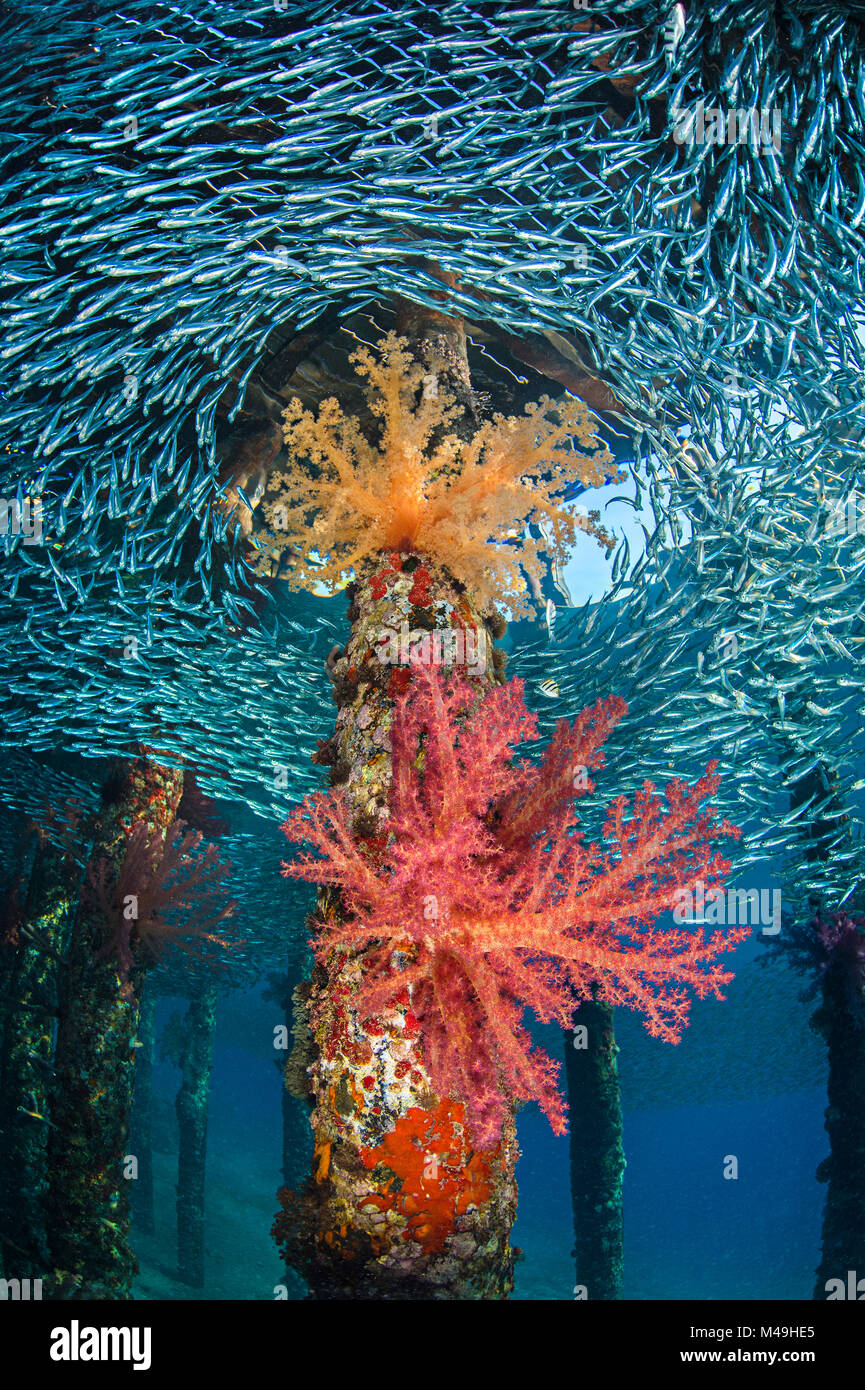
pixel 465 504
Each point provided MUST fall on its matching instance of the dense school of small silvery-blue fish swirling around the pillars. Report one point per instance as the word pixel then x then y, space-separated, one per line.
pixel 180 184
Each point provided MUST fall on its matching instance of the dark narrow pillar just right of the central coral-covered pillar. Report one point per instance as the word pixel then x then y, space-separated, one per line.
pixel 597 1157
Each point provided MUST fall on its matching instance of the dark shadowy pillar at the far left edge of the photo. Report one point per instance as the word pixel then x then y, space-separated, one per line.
pixel 26 1063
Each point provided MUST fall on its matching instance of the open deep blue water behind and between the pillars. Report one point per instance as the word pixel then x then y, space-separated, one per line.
pixel 690 1232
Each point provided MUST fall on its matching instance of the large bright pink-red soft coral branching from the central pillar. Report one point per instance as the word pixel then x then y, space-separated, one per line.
pixel 486 899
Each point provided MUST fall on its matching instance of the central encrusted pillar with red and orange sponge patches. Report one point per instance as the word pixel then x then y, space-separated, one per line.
pixel 400 1206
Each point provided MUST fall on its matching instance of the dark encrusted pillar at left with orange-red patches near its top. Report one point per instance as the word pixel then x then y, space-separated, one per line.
pixel 87 1204
